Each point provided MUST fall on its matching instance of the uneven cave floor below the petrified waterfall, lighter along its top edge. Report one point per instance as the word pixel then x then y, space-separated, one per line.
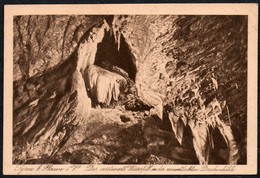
pixel 115 136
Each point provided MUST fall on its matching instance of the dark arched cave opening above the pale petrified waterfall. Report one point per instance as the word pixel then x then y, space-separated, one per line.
pixel 119 60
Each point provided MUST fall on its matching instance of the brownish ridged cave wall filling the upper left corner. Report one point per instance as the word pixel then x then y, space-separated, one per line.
pixel 42 42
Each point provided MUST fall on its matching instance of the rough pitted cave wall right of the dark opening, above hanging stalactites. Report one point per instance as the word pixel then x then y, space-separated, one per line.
pixel 168 48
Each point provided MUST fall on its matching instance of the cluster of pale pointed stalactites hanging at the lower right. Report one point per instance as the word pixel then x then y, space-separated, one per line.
pixel 200 118
